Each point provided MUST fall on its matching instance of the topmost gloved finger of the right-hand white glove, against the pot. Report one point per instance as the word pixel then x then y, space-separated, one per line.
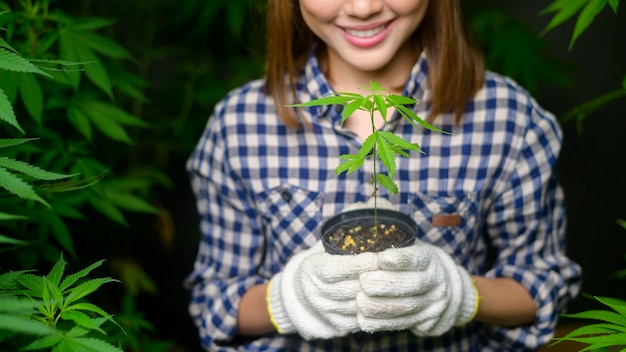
pixel 415 257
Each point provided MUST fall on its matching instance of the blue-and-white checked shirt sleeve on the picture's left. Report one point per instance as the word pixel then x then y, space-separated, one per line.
pixel 231 239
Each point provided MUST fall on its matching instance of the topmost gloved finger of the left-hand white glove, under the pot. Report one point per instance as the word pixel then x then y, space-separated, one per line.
pixel 335 268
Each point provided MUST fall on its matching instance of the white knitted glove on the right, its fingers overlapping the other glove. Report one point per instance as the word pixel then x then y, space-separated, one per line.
pixel 418 288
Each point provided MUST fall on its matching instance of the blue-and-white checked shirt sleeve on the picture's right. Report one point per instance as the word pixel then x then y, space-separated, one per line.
pixel 527 229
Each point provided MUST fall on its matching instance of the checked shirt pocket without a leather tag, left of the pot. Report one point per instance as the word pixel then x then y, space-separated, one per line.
pixel 291 219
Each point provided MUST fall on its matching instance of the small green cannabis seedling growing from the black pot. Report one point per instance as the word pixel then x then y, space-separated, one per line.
pixel 380 145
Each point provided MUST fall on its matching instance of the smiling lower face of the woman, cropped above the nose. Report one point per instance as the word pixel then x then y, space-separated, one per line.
pixel 365 35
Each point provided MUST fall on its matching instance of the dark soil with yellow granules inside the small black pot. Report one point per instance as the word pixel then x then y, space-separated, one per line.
pixel 359 237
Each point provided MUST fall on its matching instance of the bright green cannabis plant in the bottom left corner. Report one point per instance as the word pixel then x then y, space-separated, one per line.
pixel 49 312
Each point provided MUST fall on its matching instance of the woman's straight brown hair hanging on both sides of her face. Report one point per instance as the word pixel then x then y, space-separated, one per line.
pixel 455 65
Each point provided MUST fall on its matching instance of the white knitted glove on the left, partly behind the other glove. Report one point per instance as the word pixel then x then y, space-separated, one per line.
pixel 315 294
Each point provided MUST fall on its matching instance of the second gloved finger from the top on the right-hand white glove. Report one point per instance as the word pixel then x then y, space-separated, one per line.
pixel 398 283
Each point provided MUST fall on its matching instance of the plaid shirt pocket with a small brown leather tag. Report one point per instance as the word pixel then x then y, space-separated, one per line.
pixel 446 221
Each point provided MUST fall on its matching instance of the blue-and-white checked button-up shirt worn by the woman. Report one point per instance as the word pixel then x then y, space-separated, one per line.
pixel 263 191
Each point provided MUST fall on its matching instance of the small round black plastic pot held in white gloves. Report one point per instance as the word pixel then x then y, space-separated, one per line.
pixel 387 219
